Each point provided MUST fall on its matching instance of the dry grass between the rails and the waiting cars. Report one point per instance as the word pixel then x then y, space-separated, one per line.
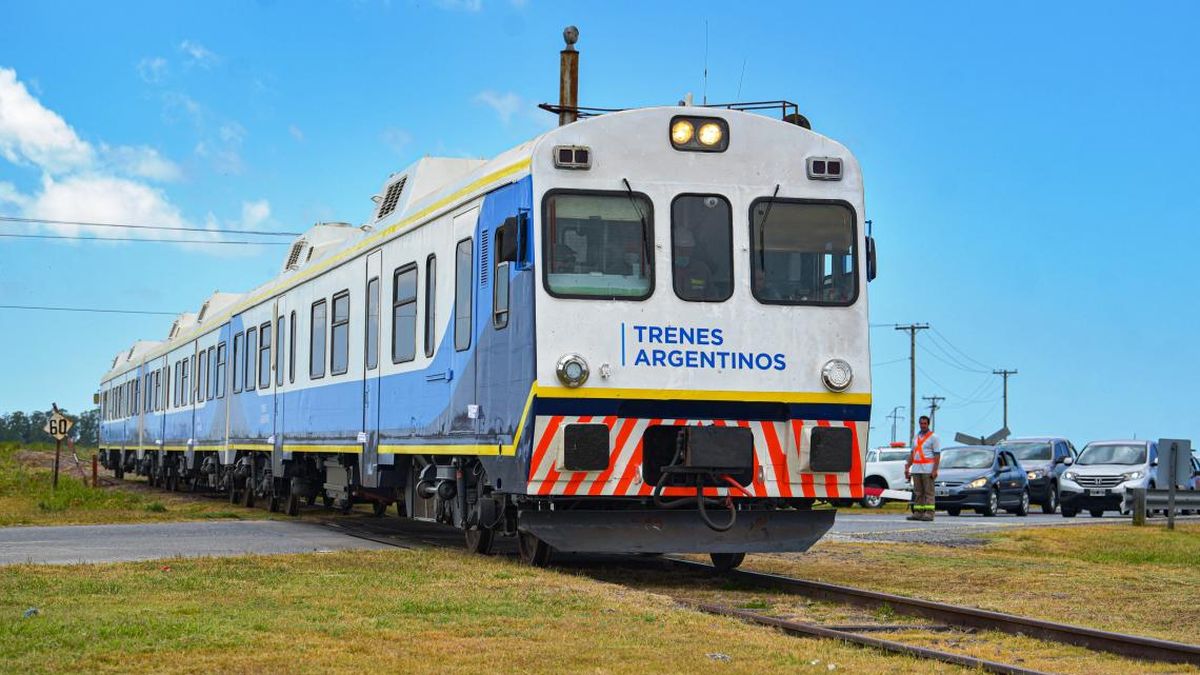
pixel 1142 581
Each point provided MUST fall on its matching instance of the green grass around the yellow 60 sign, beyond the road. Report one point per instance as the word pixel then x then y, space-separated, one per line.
pixel 28 498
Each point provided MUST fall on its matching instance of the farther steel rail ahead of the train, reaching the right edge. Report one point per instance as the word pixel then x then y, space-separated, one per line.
pixel 1137 647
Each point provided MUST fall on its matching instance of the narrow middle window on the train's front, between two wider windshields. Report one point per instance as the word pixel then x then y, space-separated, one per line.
pixel 703 248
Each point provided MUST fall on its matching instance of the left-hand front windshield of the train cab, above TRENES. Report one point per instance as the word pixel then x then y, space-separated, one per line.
pixel 599 246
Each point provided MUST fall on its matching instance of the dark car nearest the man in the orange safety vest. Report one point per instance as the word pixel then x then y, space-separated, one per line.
pixel 981 477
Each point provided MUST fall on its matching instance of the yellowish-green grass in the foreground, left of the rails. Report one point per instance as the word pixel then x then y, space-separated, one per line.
pixel 430 611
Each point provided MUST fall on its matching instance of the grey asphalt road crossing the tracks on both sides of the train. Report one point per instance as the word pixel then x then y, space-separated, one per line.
pixel 121 543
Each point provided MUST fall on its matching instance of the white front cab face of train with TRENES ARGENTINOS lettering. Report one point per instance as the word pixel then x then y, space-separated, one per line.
pixel 701 320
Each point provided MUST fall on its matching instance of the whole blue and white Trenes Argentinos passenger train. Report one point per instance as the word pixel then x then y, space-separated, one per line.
pixel 645 331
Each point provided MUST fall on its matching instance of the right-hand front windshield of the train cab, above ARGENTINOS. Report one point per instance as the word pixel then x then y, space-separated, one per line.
pixel 803 253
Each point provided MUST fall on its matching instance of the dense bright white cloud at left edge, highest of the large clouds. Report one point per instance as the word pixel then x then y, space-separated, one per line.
pixel 29 133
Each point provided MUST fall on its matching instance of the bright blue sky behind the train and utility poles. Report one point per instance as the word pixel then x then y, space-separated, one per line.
pixel 1030 168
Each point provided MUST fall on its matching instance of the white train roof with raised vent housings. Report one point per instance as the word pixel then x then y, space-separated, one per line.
pixel 421 192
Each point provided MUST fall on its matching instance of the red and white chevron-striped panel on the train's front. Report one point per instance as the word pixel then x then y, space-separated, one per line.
pixel 782 461
